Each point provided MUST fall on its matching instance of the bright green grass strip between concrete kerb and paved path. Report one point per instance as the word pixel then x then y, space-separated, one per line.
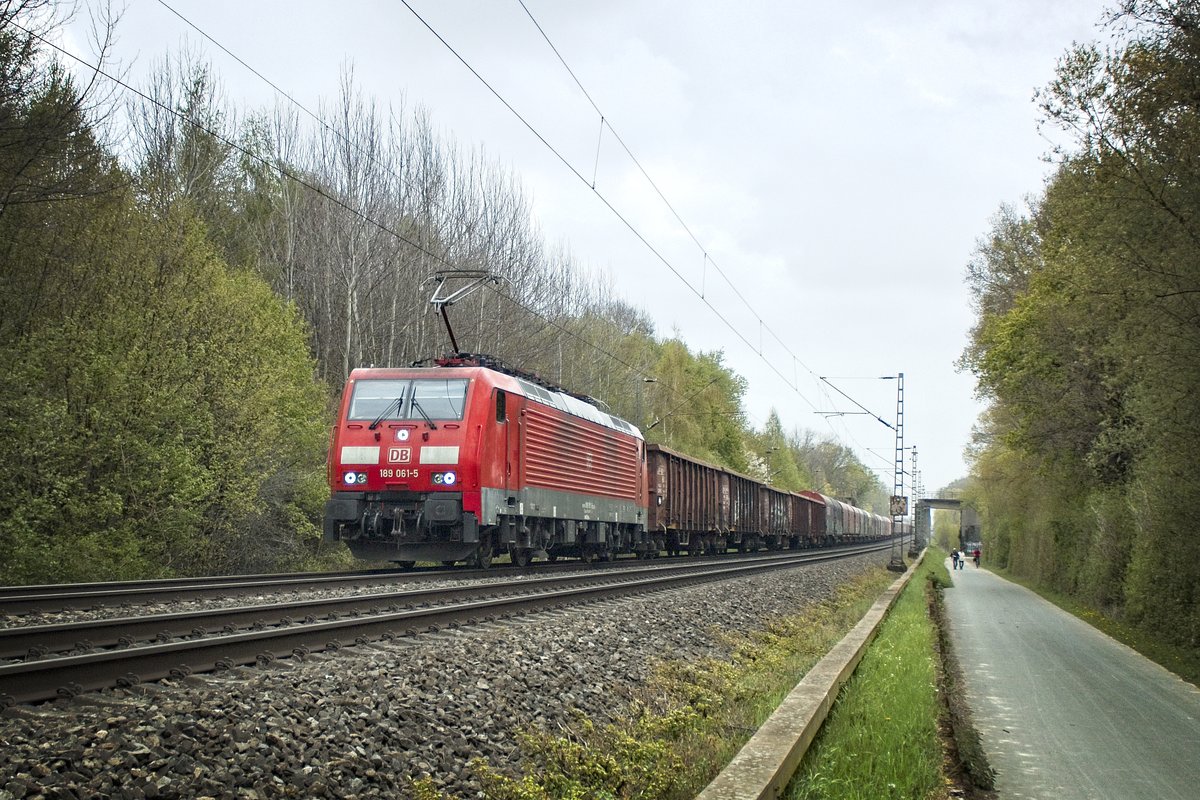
pixel 881 739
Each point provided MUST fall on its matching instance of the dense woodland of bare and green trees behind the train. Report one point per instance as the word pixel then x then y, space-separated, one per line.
pixel 184 287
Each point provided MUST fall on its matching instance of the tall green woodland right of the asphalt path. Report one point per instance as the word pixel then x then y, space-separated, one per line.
pixel 1088 341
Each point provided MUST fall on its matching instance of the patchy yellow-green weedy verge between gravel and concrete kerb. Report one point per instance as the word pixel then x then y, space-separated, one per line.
pixel 691 719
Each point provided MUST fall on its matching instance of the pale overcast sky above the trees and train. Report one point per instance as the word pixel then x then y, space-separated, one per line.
pixel 836 161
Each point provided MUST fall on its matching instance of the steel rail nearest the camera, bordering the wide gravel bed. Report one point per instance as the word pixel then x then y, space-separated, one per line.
pixel 69 676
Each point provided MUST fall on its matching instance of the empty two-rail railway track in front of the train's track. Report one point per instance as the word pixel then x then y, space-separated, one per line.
pixel 69 659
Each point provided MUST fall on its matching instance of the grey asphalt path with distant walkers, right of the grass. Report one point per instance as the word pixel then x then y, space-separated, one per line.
pixel 1065 712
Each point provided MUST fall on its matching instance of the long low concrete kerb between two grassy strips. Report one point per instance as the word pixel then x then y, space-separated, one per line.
pixel 764 767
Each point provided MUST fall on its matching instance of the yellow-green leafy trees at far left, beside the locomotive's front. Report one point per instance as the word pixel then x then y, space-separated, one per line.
pixel 159 413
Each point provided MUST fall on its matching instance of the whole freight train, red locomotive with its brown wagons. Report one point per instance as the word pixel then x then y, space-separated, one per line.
pixel 469 459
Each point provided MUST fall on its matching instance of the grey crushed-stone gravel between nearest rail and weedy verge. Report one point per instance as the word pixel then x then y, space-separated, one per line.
pixel 365 721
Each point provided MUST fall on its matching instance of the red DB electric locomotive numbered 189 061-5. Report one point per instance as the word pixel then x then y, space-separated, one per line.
pixel 471 459
